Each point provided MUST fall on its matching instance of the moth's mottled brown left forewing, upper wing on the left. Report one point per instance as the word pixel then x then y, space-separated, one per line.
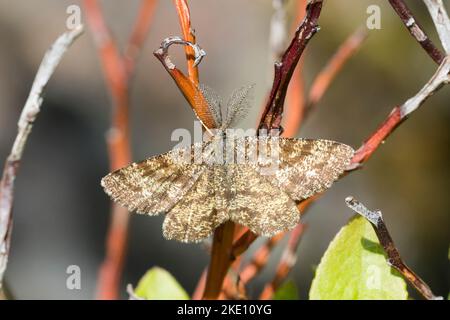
pixel 154 185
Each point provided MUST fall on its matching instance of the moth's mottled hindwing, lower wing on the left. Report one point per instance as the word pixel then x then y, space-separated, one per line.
pixel 201 210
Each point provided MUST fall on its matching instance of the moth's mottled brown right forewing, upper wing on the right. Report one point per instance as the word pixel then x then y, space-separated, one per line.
pixel 308 166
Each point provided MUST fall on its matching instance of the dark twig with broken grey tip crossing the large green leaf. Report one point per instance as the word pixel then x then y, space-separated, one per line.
pixel 376 220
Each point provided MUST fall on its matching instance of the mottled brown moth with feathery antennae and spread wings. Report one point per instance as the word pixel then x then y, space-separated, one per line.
pixel 198 196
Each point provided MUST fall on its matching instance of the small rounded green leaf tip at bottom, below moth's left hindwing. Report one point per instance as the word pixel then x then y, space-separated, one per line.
pixel 158 284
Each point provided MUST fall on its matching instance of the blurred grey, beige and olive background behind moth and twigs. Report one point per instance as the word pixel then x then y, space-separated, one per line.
pixel 61 213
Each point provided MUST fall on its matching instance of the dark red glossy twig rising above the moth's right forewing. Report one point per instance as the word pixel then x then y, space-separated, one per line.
pixel 273 111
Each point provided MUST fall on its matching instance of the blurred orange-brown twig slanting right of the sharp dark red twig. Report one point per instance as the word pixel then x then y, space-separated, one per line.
pixel 323 80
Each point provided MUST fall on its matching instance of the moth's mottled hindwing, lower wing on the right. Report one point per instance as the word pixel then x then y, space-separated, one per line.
pixel 256 203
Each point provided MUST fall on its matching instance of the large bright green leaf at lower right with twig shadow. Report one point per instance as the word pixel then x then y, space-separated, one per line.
pixel 354 267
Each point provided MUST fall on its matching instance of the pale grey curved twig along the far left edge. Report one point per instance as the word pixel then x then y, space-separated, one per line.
pixel 27 118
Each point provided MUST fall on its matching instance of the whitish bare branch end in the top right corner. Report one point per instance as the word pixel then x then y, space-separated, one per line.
pixel 441 21
